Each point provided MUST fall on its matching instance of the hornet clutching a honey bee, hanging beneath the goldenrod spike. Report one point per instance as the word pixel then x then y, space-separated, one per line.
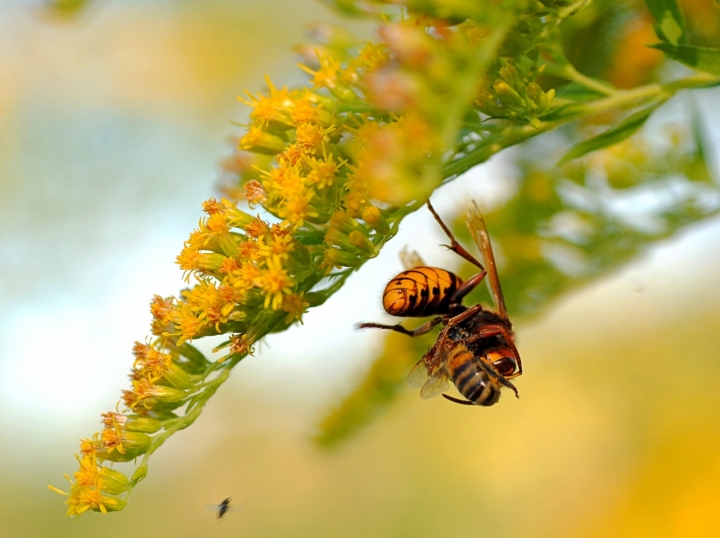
pixel 476 348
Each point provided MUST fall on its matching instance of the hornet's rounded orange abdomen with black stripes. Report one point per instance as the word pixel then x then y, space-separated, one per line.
pixel 421 291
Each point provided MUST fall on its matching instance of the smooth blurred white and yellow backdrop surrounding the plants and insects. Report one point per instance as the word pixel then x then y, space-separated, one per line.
pixel 111 128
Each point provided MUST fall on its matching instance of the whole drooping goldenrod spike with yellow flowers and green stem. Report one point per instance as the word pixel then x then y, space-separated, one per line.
pixel 335 165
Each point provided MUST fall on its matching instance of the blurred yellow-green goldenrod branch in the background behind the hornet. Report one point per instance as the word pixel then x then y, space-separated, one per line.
pixel 562 227
